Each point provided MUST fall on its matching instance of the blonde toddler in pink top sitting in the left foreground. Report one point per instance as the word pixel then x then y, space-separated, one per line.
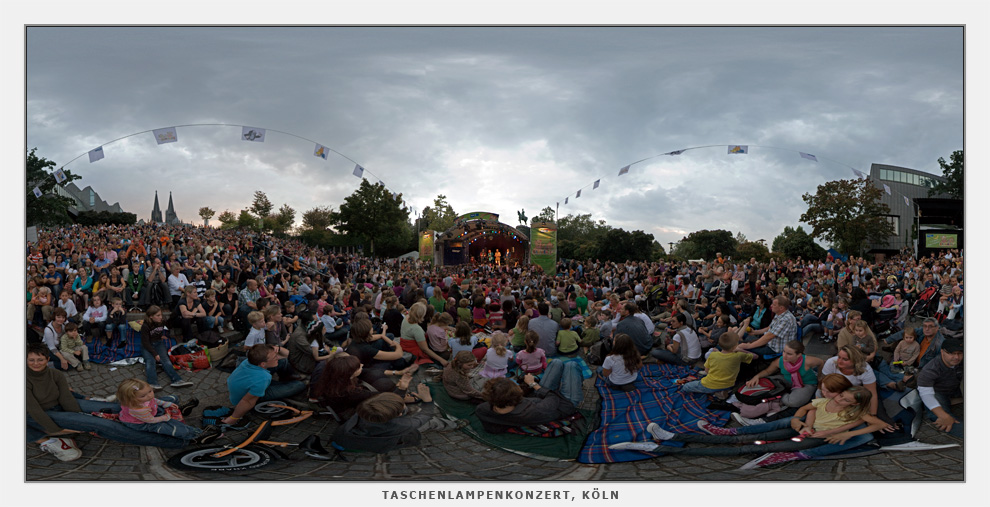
pixel 141 411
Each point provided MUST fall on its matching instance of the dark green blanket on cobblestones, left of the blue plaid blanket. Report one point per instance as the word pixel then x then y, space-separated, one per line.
pixel 550 449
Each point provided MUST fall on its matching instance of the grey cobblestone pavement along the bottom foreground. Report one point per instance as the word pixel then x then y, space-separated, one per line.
pixel 452 456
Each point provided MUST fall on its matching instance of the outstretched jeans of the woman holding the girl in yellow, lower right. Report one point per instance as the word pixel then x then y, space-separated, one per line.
pixel 776 430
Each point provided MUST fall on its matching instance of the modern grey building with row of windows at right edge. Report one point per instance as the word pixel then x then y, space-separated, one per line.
pixel 908 217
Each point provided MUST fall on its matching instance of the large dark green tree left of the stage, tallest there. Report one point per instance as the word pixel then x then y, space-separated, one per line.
pixel 371 214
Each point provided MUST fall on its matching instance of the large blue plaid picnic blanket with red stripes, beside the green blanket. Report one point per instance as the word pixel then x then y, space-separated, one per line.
pixel 624 415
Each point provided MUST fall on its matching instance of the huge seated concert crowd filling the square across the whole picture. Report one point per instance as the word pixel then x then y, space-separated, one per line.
pixel 349 333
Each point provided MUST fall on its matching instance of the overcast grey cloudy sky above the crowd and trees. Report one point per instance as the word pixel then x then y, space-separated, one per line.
pixel 498 119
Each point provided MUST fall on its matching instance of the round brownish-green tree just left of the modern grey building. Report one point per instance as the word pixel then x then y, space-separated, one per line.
pixel 848 213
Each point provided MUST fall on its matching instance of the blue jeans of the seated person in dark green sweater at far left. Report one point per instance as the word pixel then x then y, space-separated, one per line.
pixel 112 430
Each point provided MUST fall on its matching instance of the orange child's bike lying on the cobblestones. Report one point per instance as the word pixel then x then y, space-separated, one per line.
pixel 256 451
